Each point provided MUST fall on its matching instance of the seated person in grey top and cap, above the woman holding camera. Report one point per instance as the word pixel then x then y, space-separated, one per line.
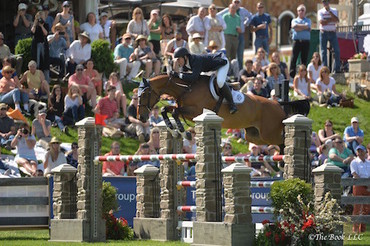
pixel 41 128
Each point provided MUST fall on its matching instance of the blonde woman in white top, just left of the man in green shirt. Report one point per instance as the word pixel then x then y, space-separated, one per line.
pixel 137 26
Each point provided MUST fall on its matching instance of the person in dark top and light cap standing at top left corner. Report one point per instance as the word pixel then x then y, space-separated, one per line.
pixel 22 23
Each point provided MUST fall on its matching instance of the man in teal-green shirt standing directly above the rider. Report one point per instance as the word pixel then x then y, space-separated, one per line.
pixel 232 32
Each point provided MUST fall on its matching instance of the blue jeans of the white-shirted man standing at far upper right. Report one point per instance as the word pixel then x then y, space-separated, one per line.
pixel 332 38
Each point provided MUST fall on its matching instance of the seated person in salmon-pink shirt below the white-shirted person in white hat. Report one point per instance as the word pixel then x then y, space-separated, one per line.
pixel 83 82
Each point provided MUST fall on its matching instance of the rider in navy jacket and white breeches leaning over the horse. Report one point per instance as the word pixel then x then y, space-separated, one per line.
pixel 204 63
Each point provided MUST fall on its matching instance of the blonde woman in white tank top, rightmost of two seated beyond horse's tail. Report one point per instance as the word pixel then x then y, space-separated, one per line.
pixel 326 91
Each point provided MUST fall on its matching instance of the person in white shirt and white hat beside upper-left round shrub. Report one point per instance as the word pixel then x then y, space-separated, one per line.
pixel 79 52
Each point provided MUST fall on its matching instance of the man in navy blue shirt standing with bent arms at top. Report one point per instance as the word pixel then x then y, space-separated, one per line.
pixel 261 25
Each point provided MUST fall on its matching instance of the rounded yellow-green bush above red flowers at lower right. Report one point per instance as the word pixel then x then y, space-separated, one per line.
pixel 284 194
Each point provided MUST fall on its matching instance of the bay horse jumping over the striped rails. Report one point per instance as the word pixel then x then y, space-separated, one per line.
pixel 262 118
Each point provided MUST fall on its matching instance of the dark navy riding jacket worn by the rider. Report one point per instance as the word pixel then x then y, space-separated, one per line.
pixel 203 63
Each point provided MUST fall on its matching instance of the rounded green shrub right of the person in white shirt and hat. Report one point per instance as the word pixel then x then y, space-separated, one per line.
pixel 102 56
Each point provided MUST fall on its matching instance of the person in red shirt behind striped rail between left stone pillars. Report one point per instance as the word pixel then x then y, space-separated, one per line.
pixel 114 168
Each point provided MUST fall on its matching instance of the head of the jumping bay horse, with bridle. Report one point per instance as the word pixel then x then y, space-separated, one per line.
pixel 147 99
